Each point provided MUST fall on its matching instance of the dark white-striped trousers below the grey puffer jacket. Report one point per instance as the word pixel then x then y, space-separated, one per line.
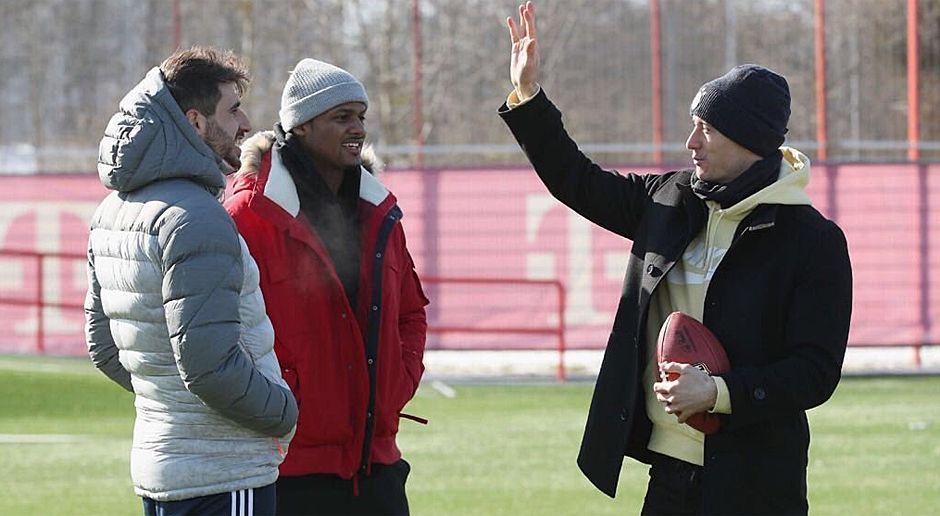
pixel 259 501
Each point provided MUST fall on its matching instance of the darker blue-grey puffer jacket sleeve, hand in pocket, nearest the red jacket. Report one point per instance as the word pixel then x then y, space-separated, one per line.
pixel 202 281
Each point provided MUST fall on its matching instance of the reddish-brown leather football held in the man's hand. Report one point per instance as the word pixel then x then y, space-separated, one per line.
pixel 684 340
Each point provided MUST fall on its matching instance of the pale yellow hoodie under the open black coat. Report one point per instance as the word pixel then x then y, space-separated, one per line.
pixel 684 290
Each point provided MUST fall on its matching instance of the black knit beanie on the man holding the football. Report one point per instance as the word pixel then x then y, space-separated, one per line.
pixel 750 105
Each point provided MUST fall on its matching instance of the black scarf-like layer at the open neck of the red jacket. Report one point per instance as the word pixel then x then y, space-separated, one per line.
pixel 335 218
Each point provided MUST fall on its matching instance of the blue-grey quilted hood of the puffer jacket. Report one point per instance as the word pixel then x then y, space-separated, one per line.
pixel 150 139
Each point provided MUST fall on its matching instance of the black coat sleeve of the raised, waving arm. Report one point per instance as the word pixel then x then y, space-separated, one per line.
pixel 613 201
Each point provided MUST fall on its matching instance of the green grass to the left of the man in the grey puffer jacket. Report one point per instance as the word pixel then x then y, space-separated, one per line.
pixel 89 475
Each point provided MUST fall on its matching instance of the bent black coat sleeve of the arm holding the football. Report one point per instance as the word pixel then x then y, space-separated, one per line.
pixel 816 335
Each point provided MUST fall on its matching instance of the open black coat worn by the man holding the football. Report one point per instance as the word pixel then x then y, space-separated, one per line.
pixel 780 303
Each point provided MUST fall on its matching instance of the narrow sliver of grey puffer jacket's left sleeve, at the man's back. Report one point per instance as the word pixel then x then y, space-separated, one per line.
pixel 100 342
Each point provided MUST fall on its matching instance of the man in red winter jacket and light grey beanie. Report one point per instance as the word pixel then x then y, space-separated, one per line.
pixel 341 290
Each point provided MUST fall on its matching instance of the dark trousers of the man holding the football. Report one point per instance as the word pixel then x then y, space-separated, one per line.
pixel 675 487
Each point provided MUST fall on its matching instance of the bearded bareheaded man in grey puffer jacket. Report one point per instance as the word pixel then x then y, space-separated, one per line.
pixel 174 312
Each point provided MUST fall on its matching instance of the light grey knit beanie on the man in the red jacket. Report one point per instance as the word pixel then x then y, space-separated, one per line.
pixel 315 87
